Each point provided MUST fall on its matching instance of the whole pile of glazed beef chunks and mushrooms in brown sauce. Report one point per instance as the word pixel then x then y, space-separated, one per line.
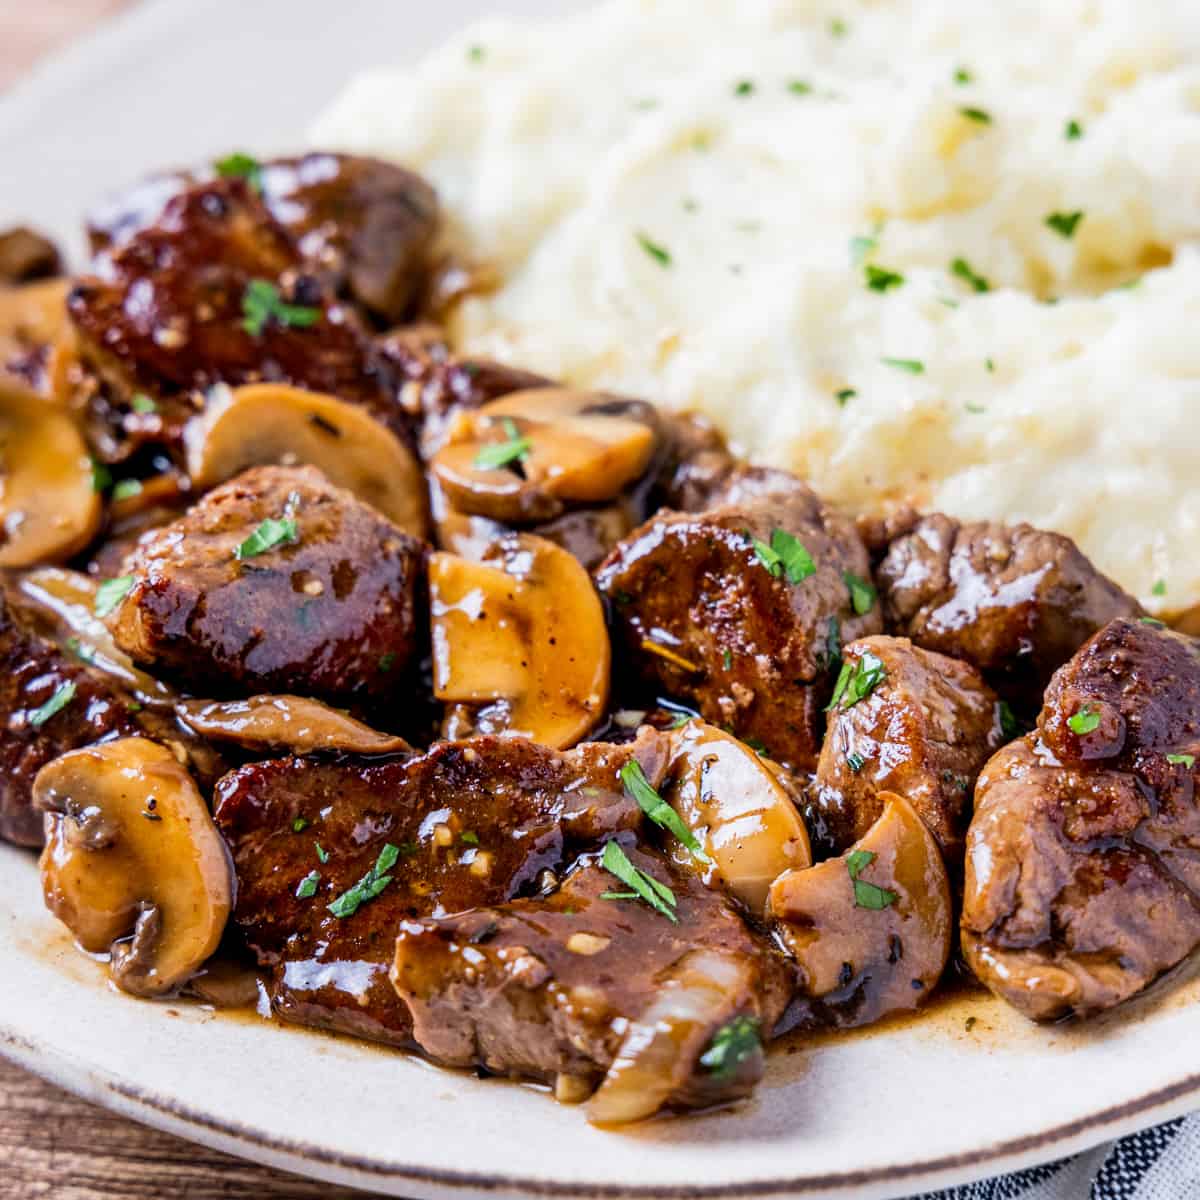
pixel 519 727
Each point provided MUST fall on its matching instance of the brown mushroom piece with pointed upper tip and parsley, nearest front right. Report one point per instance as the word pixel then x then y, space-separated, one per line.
pixel 871 931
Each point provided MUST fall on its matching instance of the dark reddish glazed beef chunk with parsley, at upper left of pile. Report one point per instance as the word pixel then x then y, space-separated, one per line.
pixel 215 291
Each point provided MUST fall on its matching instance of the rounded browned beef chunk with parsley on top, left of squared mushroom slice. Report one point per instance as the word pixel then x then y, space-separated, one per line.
pixel 277 581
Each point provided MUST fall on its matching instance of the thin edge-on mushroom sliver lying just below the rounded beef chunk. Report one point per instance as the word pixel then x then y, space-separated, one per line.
pixel 290 723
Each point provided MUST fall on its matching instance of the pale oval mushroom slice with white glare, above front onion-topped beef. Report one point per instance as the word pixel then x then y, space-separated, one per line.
pixel 740 807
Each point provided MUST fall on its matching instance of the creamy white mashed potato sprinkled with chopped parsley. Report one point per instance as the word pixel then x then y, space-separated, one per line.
pixel 937 250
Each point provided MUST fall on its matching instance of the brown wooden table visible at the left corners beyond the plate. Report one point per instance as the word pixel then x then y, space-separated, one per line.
pixel 53 1147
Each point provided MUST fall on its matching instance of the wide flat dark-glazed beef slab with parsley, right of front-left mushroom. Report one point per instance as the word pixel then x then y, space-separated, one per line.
pixel 472 823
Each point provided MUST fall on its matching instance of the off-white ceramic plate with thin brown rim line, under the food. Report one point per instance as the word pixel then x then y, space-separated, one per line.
pixel 889 1113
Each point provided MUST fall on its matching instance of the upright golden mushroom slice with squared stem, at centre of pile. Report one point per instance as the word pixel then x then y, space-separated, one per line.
pixel 520 638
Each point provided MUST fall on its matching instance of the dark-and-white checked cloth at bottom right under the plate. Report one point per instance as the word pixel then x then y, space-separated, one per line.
pixel 1160 1165
